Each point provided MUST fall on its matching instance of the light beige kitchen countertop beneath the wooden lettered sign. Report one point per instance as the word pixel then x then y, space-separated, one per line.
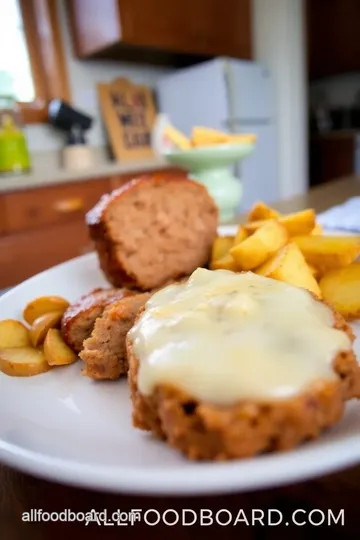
pixel 46 171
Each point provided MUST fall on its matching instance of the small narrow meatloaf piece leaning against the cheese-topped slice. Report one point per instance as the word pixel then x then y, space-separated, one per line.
pixel 104 352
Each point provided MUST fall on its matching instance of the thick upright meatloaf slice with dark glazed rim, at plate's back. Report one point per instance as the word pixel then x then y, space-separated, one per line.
pixel 153 230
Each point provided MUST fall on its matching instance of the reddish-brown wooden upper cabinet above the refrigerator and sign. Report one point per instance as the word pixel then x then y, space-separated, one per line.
pixel 201 27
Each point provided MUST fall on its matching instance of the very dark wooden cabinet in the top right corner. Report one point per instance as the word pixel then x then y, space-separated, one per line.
pixel 332 37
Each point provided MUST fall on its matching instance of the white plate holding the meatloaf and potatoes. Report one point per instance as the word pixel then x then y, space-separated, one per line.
pixel 65 427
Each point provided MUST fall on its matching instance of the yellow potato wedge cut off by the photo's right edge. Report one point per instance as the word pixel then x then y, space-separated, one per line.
pixel 341 289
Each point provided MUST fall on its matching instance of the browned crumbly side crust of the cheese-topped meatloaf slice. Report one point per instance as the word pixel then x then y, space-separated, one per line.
pixel 208 432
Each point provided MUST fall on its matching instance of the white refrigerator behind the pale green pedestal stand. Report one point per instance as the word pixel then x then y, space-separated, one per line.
pixel 230 95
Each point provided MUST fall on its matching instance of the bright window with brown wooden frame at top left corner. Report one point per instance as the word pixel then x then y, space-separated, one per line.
pixel 32 64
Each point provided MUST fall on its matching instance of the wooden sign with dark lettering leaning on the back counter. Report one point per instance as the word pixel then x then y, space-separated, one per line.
pixel 129 114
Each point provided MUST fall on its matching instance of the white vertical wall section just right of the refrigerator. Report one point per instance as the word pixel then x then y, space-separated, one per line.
pixel 279 43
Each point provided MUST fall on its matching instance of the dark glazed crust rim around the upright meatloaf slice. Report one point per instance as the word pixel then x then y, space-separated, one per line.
pixel 107 250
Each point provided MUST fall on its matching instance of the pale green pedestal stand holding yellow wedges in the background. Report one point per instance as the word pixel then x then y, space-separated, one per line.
pixel 210 166
